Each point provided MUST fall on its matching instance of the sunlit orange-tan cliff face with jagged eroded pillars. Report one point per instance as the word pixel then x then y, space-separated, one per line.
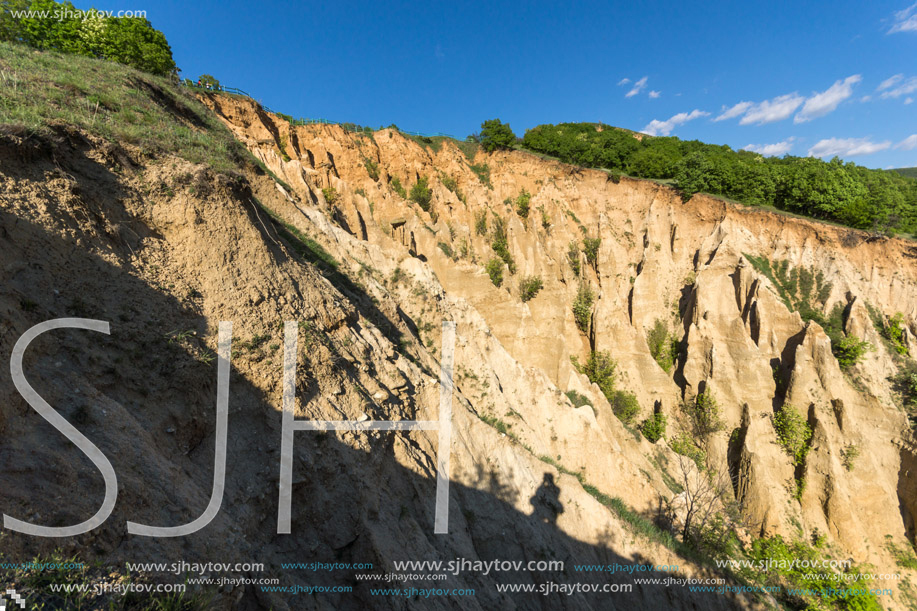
pixel 688 265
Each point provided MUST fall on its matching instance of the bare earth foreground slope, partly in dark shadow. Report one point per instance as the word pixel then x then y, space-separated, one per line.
pixel 164 250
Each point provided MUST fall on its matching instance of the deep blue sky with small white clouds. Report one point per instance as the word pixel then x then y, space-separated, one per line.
pixel 824 78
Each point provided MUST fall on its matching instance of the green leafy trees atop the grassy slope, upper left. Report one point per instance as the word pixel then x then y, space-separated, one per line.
pixel 127 40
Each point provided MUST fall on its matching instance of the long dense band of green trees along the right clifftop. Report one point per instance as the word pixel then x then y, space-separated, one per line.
pixel 842 192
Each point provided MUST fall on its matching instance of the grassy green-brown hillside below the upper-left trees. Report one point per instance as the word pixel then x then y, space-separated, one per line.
pixel 113 101
